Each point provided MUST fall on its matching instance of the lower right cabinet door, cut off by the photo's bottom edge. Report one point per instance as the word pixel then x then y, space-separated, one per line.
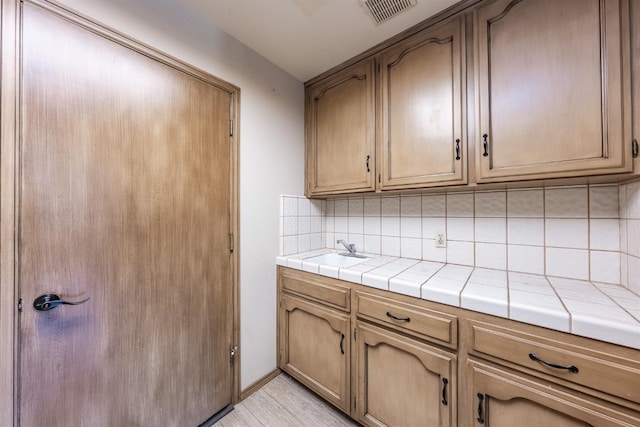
pixel 504 399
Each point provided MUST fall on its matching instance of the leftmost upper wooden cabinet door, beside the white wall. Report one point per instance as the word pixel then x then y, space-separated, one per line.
pixel 340 132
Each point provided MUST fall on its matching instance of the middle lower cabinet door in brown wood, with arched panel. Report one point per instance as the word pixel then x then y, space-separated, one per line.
pixel 403 382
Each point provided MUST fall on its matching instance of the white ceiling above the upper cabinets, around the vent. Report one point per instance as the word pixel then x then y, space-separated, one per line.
pixel 308 37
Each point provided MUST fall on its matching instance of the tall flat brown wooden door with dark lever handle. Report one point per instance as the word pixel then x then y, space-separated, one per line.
pixel 124 200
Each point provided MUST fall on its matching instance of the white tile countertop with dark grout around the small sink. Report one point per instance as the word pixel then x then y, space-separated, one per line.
pixel 605 312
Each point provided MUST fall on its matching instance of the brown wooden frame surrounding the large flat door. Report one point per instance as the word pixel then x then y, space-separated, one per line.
pixel 10 137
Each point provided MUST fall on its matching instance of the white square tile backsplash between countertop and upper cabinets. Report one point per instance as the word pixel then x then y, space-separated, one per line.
pixel 582 232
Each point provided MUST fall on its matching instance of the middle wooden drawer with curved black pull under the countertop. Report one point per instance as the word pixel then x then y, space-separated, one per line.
pixel 412 319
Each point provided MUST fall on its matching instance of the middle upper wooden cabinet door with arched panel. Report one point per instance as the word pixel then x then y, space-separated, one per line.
pixel 421 80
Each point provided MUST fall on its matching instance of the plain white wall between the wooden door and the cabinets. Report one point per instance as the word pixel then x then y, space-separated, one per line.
pixel 271 146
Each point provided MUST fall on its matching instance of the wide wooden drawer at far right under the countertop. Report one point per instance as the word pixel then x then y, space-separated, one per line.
pixel 579 364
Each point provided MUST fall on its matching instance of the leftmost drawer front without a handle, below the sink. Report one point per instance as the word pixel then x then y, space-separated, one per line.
pixel 316 288
